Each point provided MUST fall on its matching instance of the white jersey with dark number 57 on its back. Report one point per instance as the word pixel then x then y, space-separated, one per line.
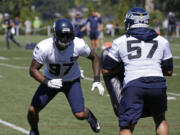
pixel 140 58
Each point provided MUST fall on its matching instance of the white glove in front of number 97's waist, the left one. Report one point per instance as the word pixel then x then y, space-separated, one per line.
pixel 54 83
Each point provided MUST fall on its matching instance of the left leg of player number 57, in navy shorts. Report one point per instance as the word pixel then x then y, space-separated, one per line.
pixel 131 107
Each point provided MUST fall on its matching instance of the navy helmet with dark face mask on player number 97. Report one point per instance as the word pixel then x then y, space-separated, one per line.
pixel 63 32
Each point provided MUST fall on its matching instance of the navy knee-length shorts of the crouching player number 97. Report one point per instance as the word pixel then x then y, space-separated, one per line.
pixel 72 90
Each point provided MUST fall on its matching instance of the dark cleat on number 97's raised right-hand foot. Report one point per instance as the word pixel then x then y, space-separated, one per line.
pixel 95 126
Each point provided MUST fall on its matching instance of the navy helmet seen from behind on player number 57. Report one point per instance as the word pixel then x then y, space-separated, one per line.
pixel 136 18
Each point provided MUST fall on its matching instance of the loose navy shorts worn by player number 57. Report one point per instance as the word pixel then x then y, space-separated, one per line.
pixel 140 102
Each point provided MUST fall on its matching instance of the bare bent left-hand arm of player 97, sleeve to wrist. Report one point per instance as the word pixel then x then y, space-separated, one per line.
pixel 34 71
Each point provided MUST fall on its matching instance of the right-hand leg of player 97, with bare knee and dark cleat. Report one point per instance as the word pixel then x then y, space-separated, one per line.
pixel 75 98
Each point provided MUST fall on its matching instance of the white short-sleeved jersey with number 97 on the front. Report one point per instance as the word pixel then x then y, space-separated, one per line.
pixel 61 64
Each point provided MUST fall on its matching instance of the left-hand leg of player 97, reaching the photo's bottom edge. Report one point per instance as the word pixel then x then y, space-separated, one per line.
pixel 41 98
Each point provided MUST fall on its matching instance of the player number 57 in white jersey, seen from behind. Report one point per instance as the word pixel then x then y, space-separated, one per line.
pixel 147 58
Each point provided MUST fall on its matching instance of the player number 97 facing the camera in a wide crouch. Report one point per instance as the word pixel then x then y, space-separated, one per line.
pixel 62 74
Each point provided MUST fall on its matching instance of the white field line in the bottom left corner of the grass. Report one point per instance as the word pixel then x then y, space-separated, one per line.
pixel 20 129
